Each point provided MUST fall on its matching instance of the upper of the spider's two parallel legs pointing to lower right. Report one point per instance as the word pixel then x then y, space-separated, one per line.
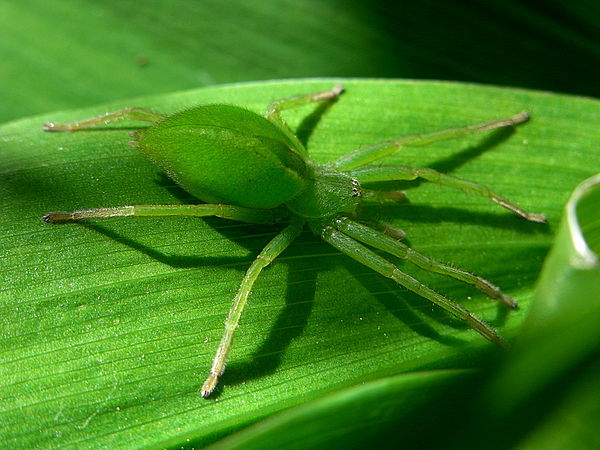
pixel 381 241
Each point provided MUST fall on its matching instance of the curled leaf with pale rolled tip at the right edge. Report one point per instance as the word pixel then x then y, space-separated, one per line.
pixel 562 327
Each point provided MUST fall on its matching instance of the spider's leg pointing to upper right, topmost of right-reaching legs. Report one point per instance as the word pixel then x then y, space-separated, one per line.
pixel 366 155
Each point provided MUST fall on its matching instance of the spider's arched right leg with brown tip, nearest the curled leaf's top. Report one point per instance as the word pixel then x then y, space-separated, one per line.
pixel 403 173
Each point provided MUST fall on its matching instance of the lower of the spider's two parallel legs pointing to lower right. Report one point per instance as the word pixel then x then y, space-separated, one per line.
pixel 362 254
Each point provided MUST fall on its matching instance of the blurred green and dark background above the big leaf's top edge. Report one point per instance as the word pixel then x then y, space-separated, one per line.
pixel 59 54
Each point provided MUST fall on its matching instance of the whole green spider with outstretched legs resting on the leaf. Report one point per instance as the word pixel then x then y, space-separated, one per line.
pixel 254 169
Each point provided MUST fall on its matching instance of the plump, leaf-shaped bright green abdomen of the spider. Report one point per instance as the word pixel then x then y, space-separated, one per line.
pixel 244 160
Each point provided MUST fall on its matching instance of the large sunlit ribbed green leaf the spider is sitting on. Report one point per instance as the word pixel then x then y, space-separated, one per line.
pixel 108 328
